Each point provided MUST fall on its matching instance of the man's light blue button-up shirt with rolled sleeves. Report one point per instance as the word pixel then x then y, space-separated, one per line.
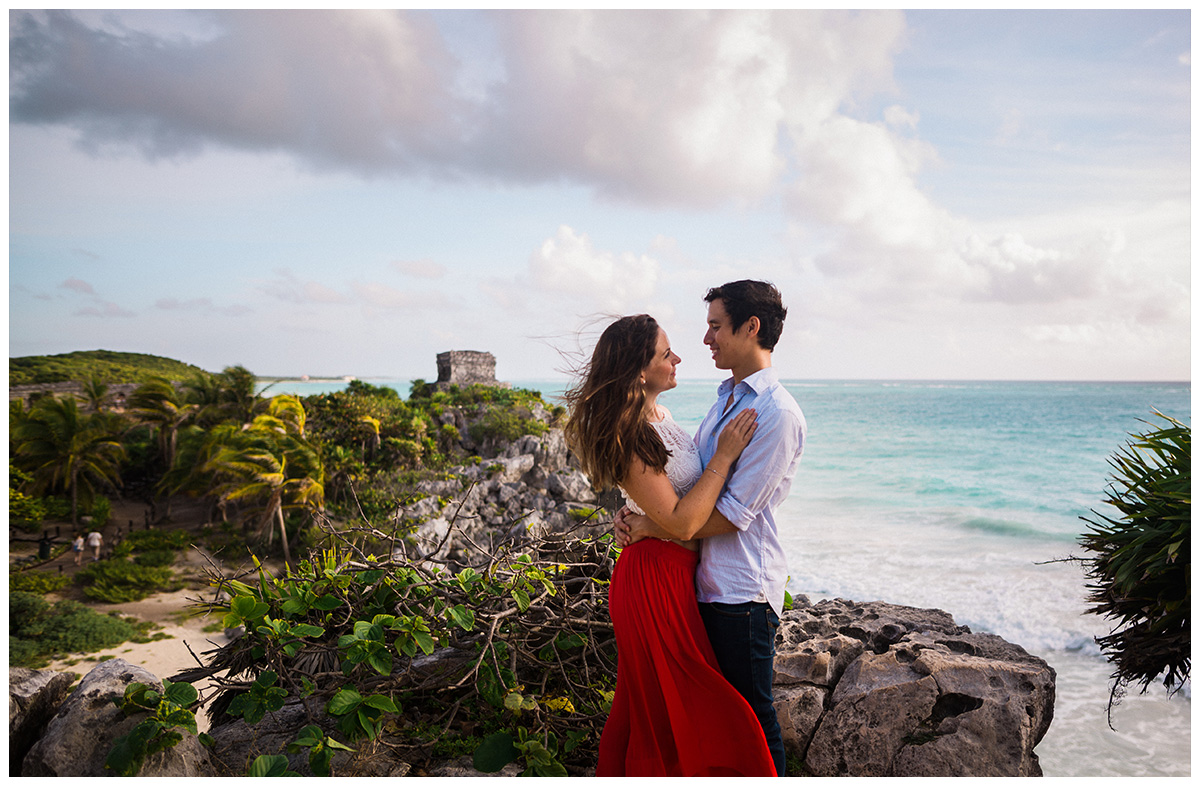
pixel 749 566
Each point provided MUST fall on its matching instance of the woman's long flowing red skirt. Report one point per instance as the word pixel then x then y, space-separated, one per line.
pixel 674 713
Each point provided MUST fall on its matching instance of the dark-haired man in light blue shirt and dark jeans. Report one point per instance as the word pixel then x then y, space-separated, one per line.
pixel 740 582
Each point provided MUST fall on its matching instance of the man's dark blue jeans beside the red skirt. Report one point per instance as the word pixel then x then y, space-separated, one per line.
pixel 743 636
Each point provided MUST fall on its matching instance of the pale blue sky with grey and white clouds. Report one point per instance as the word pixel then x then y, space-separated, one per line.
pixel 938 195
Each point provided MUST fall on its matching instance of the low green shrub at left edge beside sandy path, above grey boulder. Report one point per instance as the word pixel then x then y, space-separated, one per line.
pixel 40 631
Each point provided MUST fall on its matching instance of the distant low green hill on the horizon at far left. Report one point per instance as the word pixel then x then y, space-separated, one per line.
pixel 106 366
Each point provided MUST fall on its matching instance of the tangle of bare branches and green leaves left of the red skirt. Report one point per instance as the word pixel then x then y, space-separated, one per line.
pixel 511 660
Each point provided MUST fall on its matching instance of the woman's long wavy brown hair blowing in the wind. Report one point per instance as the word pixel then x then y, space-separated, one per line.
pixel 608 428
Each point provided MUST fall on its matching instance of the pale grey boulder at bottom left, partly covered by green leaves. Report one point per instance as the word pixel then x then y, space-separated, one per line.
pixel 80 737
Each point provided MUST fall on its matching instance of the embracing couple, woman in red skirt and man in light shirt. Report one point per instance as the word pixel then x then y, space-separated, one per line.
pixel 694 682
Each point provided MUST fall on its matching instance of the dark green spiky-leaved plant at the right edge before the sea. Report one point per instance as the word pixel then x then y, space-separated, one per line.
pixel 1142 572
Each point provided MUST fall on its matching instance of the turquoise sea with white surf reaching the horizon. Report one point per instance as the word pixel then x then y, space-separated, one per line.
pixel 967 497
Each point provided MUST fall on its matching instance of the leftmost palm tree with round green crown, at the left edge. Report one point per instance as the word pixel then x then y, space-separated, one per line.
pixel 67 450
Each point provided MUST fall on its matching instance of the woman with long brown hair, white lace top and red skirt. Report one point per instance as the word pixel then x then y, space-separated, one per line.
pixel 674 713
